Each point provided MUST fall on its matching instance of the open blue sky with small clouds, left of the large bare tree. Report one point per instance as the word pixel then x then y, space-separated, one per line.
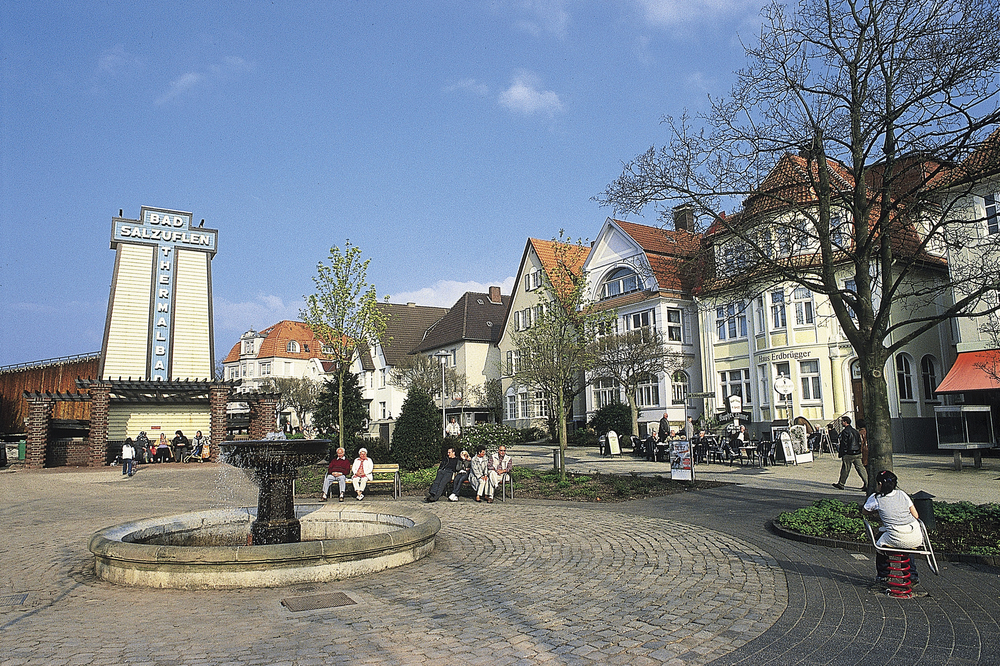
pixel 437 136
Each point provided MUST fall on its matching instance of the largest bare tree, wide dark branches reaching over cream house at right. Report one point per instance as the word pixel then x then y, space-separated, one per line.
pixel 841 138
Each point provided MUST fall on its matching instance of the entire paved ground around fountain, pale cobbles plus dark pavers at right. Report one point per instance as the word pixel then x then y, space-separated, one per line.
pixel 690 578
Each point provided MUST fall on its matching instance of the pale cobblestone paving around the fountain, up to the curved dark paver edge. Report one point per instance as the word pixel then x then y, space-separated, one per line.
pixel 508 583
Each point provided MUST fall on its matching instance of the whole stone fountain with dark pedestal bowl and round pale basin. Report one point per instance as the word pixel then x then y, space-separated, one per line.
pixel 274 545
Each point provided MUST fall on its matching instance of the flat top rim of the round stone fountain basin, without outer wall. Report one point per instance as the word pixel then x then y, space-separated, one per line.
pixel 109 544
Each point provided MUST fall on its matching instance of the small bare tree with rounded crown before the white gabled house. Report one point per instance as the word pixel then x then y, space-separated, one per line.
pixel 632 357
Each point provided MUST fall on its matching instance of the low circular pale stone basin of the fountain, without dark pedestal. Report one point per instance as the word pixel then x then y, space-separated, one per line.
pixel 205 549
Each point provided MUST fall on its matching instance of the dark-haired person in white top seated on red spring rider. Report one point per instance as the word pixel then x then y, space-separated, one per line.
pixel 900 528
